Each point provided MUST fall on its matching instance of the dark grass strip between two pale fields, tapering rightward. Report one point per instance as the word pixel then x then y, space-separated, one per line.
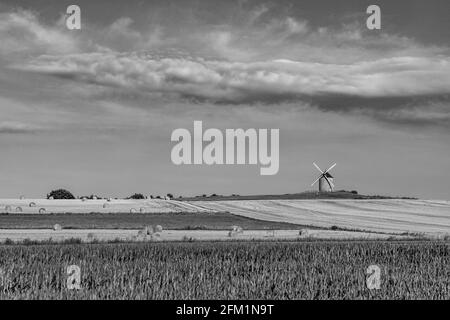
pixel 173 221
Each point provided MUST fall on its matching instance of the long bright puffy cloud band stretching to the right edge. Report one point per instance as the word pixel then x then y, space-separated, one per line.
pixel 236 81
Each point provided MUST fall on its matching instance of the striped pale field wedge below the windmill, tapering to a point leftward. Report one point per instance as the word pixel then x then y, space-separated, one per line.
pixel 392 216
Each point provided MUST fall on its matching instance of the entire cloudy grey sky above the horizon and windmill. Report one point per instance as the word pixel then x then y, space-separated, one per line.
pixel 92 110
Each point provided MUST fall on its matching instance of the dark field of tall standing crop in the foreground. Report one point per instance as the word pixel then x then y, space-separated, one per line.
pixel 232 270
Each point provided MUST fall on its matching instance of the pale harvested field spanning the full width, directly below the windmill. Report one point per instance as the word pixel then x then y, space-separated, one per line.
pixel 430 217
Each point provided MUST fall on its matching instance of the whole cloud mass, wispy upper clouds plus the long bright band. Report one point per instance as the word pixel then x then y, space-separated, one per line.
pixel 265 59
